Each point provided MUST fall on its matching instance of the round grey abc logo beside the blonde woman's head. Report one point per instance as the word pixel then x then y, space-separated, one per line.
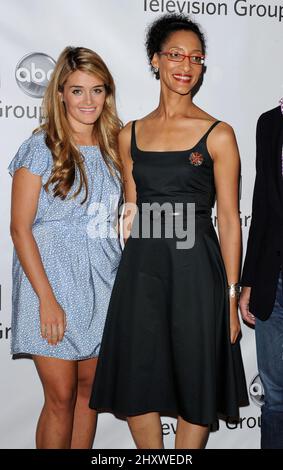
pixel 33 73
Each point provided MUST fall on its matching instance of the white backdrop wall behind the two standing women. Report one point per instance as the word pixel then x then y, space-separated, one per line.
pixel 244 78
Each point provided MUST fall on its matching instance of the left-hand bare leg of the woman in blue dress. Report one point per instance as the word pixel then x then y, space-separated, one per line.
pixel 59 381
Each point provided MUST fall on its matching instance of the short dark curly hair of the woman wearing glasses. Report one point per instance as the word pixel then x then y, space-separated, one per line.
pixel 159 31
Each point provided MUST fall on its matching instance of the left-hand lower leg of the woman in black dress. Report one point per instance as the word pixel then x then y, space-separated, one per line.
pixel 146 430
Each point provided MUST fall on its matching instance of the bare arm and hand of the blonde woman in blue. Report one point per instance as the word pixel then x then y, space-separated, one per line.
pixel 25 193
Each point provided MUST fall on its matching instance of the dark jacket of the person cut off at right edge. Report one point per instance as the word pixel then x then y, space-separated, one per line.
pixel 265 244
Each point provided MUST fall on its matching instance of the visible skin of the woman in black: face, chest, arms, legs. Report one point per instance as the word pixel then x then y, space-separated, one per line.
pixel 178 124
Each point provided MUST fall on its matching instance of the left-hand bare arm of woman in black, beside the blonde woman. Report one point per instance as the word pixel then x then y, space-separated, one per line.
pixel 129 183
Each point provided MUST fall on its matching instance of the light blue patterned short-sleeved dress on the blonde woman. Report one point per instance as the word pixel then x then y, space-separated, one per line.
pixel 80 251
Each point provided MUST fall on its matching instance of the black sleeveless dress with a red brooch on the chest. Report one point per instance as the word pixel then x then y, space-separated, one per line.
pixel 166 344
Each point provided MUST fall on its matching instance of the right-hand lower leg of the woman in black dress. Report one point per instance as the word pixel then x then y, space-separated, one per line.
pixel 190 436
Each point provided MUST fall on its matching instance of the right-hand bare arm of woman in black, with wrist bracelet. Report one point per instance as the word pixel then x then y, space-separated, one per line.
pixel 226 158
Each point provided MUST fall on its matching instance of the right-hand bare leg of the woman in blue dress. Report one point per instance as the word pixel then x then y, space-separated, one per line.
pixel 84 418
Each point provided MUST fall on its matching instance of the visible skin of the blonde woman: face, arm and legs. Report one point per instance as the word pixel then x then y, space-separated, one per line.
pixel 66 421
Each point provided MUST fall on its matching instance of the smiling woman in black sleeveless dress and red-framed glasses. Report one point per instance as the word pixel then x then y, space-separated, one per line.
pixel 170 344
